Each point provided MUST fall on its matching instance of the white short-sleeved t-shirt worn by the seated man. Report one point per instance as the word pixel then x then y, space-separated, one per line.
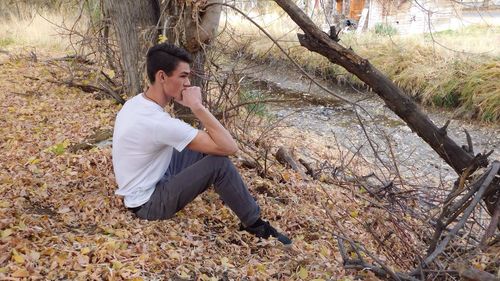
pixel 143 142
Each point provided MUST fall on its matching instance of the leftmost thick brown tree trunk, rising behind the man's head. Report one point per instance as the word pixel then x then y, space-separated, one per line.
pixel 134 22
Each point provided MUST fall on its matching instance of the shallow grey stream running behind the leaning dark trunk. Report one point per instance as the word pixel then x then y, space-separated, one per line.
pixel 338 122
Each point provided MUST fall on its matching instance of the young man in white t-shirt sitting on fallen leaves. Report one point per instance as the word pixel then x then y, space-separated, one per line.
pixel 155 180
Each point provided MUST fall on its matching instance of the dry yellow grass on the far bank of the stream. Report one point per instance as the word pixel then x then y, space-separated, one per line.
pixel 452 69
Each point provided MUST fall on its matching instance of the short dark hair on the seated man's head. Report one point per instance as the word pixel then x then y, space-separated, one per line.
pixel 166 57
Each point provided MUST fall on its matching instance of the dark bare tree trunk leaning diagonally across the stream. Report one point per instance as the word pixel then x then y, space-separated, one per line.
pixel 317 41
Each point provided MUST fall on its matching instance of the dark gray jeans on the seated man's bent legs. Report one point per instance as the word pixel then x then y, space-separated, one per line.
pixel 189 174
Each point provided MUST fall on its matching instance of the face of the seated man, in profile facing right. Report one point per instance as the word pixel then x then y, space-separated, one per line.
pixel 175 83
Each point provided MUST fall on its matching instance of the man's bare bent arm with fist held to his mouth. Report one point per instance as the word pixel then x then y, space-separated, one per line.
pixel 216 140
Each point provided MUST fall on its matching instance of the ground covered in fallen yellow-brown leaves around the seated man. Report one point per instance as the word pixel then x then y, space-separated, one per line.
pixel 60 219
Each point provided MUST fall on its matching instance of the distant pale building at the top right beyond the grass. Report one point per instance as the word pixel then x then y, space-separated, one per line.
pixel 419 16
